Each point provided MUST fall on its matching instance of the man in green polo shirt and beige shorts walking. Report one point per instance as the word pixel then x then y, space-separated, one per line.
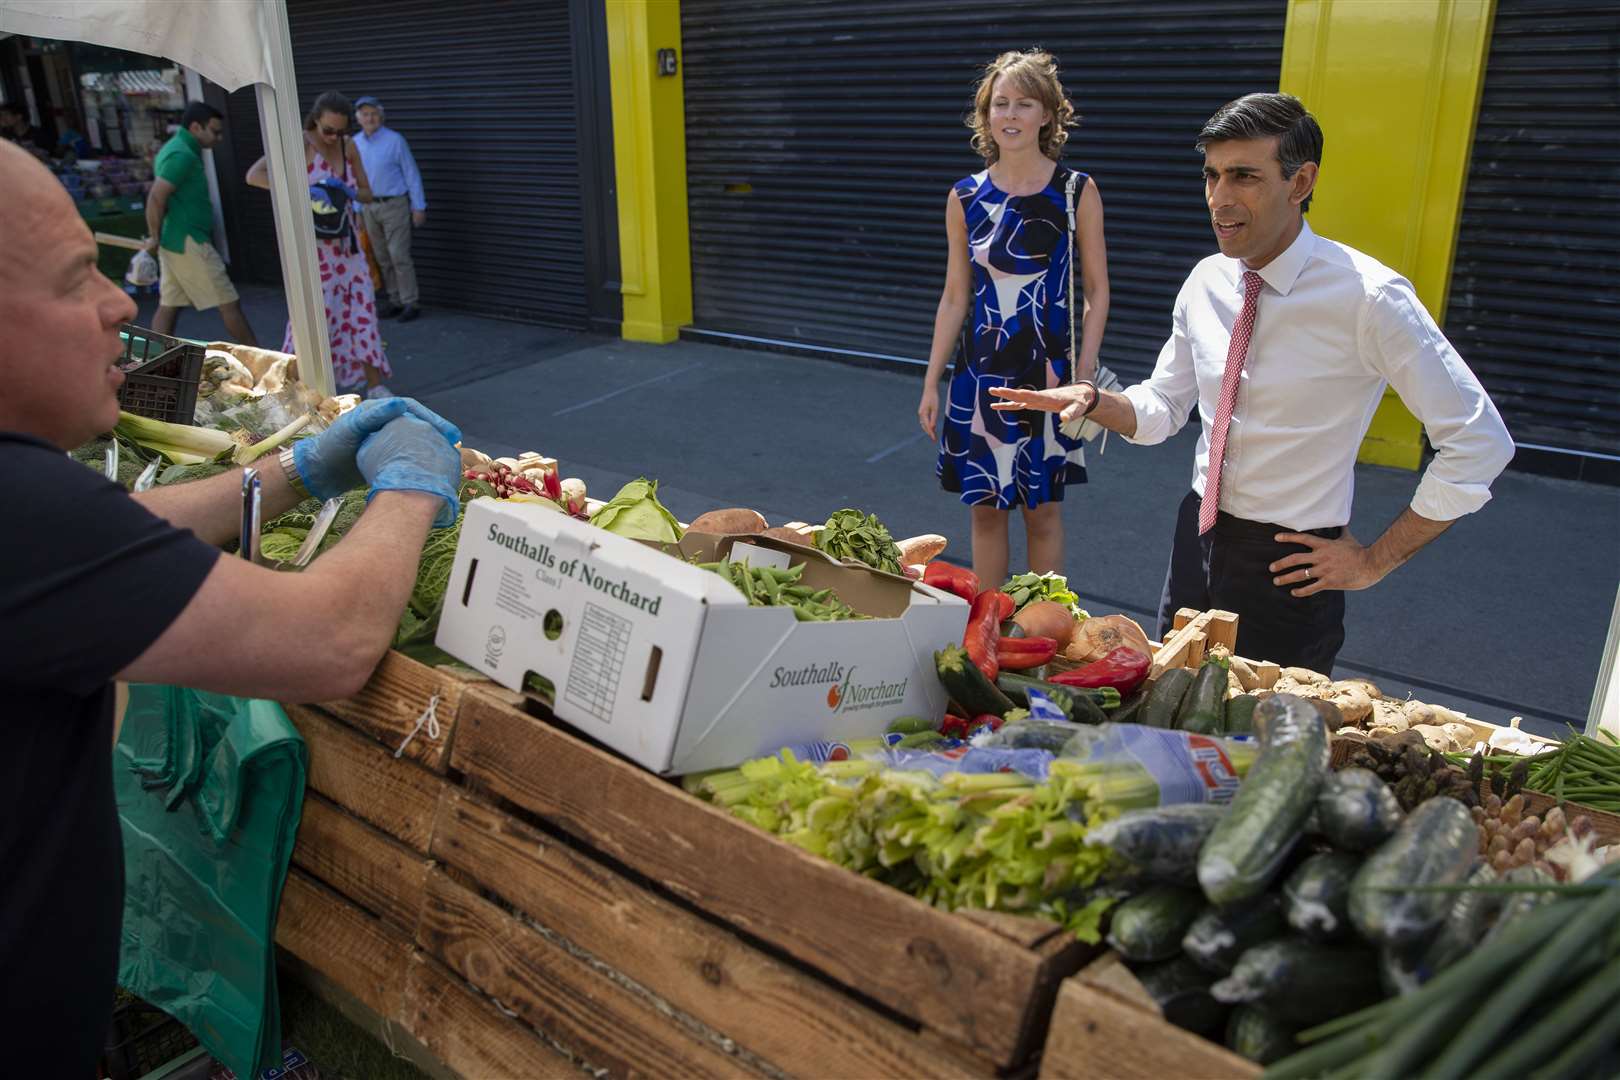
pixel 181 229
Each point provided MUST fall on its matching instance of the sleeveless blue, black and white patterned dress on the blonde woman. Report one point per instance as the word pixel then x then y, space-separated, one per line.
pixel 1020 338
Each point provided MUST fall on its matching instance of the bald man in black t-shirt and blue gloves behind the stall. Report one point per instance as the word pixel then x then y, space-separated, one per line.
pixel 100 587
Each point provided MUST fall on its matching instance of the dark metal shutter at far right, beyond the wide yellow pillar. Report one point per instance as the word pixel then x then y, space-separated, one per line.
pixel 1535 302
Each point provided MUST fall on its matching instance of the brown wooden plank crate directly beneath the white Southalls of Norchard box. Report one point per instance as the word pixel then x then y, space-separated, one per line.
pixel 527 898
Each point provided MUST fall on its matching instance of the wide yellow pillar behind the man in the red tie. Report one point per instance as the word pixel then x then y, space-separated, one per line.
pixel 1396 85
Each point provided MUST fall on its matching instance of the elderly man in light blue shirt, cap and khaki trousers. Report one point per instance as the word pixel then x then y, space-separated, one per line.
pixel 398 206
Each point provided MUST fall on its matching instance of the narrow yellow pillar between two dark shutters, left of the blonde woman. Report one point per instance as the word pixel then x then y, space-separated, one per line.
pixel 650 163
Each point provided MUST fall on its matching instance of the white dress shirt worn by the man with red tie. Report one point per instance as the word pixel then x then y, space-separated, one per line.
pixel 1332 328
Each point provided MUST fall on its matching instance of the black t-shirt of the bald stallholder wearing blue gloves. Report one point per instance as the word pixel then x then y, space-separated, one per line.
pixel 88 580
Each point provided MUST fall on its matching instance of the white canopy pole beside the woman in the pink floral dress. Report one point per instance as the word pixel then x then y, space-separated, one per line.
pixel 284 148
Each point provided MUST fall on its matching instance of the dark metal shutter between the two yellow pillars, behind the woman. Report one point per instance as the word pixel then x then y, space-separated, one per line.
pixel 824 137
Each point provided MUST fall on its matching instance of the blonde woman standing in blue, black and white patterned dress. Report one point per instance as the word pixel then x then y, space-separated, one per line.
pixel 1008 278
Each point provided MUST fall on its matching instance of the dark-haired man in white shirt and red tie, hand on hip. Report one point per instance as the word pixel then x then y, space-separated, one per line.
pixel 1285 342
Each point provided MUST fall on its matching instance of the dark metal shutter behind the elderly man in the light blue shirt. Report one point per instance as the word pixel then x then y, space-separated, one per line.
pixel 487 95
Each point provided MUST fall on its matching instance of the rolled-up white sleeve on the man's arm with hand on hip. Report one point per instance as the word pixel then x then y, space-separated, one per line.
pixel 1472 443
